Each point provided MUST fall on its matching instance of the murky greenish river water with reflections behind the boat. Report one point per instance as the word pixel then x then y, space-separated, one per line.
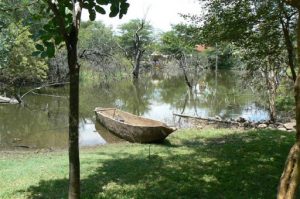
pixel 43 121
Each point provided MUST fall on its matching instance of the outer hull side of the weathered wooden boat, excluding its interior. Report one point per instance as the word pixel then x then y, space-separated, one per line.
pixel 134 133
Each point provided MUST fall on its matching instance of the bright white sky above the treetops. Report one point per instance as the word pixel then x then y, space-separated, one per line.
pixel 160 13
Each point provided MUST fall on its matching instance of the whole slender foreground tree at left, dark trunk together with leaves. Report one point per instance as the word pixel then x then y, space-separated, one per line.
pixel 69 34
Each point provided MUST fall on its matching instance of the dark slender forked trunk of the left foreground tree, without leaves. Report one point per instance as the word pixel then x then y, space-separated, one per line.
pixel 71 38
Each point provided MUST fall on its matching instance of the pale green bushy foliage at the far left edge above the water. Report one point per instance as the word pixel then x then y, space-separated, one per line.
pixel 16 44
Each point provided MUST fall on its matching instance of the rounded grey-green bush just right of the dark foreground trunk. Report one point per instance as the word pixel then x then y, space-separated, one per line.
pixel 99 51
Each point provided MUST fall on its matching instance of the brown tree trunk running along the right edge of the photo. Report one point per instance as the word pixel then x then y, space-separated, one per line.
pixel 289 180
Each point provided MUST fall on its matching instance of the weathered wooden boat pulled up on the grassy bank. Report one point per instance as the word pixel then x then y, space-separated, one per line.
pixel 131 127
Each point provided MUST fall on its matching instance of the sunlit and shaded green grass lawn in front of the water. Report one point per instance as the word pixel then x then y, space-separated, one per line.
pixel 190 164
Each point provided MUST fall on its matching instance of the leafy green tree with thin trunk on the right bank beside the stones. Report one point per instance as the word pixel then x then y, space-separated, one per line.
pixel 263 32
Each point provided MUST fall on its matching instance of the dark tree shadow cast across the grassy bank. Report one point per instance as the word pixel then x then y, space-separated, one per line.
pixel 245 165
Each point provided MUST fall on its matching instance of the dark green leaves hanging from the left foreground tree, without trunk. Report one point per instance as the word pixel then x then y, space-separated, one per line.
pixel 51 35
